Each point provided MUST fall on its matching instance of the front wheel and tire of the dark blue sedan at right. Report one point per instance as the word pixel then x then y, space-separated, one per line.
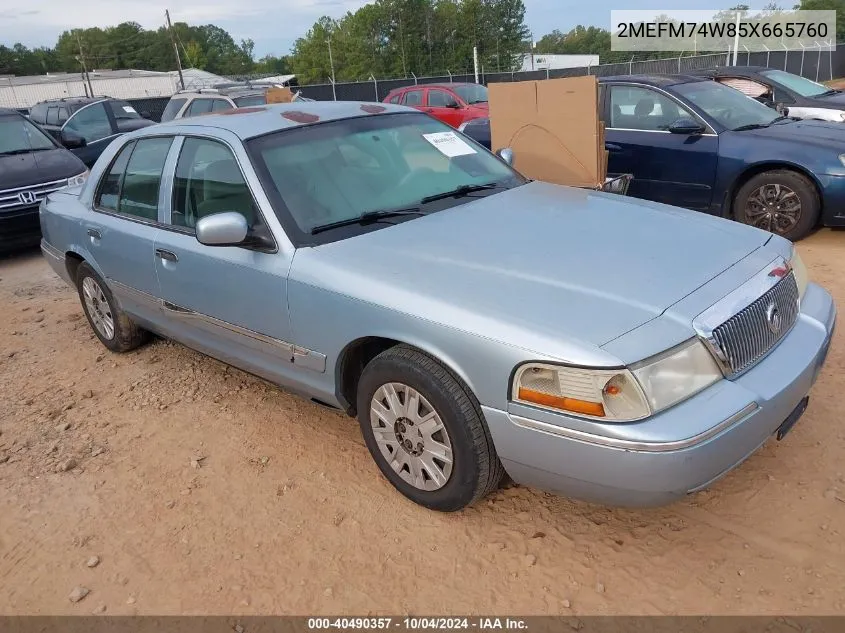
pixel 767 202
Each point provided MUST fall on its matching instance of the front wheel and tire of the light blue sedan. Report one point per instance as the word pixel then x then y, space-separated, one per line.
pixel 475 470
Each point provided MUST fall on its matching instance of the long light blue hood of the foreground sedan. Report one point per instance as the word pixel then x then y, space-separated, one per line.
pixel 538 264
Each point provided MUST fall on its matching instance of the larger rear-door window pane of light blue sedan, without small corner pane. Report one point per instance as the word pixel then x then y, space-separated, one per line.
pixel 142 177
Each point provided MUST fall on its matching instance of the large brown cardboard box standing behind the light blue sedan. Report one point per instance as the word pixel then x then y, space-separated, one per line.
pixel 553 128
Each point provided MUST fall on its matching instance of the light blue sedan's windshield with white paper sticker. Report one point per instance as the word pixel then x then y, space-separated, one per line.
pixel 338 171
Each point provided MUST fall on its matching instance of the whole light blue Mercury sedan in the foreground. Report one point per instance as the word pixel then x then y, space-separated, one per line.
pixel 475 322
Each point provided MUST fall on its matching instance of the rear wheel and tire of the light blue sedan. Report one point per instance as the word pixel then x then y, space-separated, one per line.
pixel 112 325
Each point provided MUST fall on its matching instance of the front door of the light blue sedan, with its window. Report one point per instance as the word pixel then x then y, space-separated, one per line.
pixel 228 301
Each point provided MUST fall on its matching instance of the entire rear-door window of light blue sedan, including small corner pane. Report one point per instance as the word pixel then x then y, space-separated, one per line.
pixel 132 184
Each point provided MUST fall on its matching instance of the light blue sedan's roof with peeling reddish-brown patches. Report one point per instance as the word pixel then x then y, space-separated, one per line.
pixel 254 121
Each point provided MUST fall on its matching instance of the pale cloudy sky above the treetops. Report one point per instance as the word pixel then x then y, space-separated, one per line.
pixel 272 24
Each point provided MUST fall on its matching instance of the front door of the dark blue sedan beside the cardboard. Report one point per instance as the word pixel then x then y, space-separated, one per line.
pixel 677 169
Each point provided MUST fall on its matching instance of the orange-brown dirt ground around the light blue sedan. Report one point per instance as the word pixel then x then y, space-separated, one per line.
pixel 200 489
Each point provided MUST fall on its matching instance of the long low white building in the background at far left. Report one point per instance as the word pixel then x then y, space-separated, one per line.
pixel 25 92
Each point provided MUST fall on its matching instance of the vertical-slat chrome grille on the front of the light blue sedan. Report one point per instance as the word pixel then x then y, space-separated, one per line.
pixel 747 336
